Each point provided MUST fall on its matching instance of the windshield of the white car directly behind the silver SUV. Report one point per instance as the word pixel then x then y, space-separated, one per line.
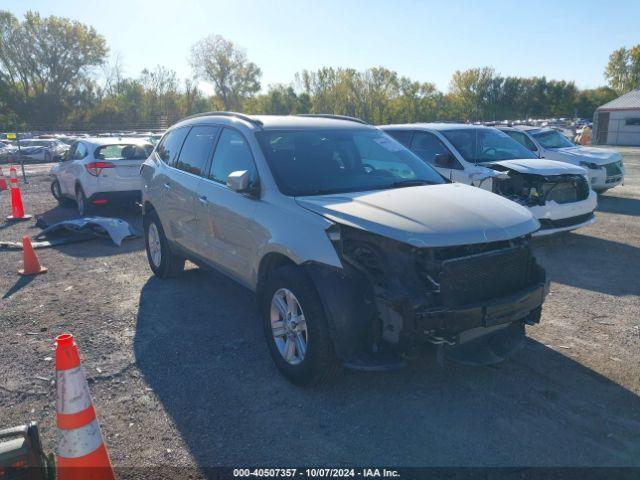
pixel 479 145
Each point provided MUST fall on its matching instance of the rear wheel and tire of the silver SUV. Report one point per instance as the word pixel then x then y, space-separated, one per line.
pixel 163 261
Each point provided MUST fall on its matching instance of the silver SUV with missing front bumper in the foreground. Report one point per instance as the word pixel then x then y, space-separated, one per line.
pixel 358 250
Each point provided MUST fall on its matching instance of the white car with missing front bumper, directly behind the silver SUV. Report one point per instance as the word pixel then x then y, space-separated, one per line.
pixel 558 194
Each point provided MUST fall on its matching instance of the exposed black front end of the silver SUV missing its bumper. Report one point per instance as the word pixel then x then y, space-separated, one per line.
pixel 435 294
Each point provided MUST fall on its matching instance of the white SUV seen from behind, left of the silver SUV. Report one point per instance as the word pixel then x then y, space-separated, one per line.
pixel 100 171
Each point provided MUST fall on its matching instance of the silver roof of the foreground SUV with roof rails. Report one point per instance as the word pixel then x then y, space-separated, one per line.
pixel 271 122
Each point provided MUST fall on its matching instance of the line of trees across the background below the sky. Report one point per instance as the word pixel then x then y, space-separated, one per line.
pixel 54 74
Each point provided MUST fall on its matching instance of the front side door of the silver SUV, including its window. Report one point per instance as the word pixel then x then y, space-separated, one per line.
pixel 226 226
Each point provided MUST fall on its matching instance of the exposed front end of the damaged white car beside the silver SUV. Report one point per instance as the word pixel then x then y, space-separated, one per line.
pixel 531 189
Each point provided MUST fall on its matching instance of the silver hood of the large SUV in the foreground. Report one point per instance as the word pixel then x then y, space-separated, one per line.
pixel 428 216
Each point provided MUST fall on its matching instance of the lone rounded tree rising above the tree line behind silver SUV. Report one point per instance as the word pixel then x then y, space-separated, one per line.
pixel 225 65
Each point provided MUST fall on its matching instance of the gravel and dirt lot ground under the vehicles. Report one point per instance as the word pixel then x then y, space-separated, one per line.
pixel 180 373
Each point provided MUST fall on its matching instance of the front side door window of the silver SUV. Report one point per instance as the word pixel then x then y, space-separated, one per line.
pixel 232 154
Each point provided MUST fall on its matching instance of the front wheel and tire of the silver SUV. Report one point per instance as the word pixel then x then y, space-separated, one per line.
pixel 296 329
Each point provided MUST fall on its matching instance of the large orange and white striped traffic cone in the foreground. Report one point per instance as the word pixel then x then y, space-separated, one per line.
pixel 81 454
